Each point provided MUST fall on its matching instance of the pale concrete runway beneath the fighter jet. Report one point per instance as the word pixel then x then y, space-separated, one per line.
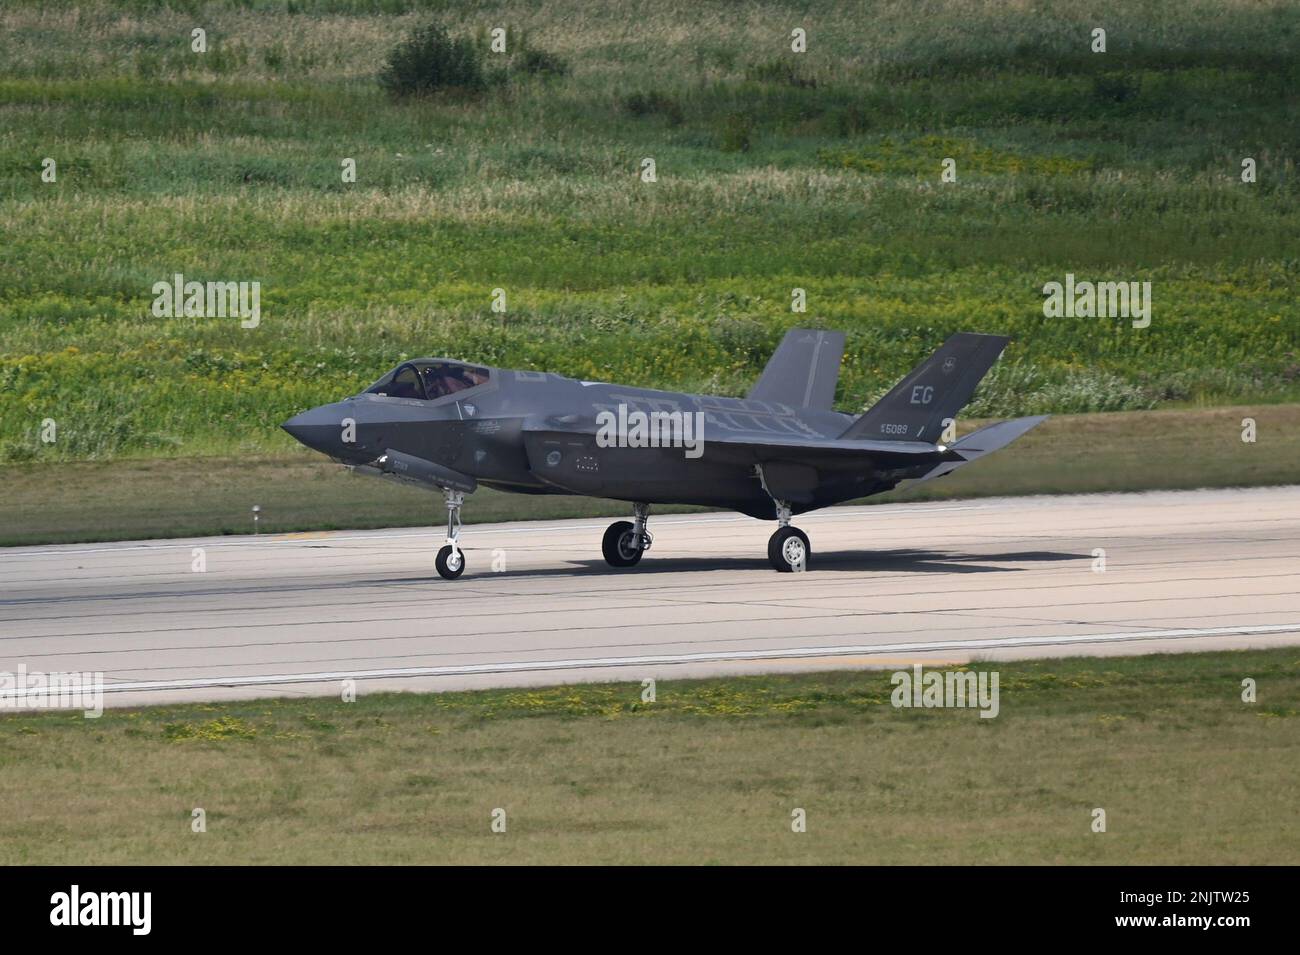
pixel 889 585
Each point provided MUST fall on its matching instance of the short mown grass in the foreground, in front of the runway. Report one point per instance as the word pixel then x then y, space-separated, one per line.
pixel 1186 772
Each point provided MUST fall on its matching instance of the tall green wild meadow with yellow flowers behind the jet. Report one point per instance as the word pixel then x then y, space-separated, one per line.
pixel 777 171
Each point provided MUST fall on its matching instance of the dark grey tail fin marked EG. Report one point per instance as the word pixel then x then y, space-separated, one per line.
pixel 935 390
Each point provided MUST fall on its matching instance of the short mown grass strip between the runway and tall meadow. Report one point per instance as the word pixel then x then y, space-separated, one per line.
pixel 1078 454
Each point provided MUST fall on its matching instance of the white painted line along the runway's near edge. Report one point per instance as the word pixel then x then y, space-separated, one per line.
pixel 678 659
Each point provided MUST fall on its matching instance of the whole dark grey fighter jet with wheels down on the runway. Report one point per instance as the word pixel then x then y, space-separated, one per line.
pixel 779 452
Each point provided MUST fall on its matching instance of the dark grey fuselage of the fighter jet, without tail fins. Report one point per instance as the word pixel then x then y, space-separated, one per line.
pixel 540 433
